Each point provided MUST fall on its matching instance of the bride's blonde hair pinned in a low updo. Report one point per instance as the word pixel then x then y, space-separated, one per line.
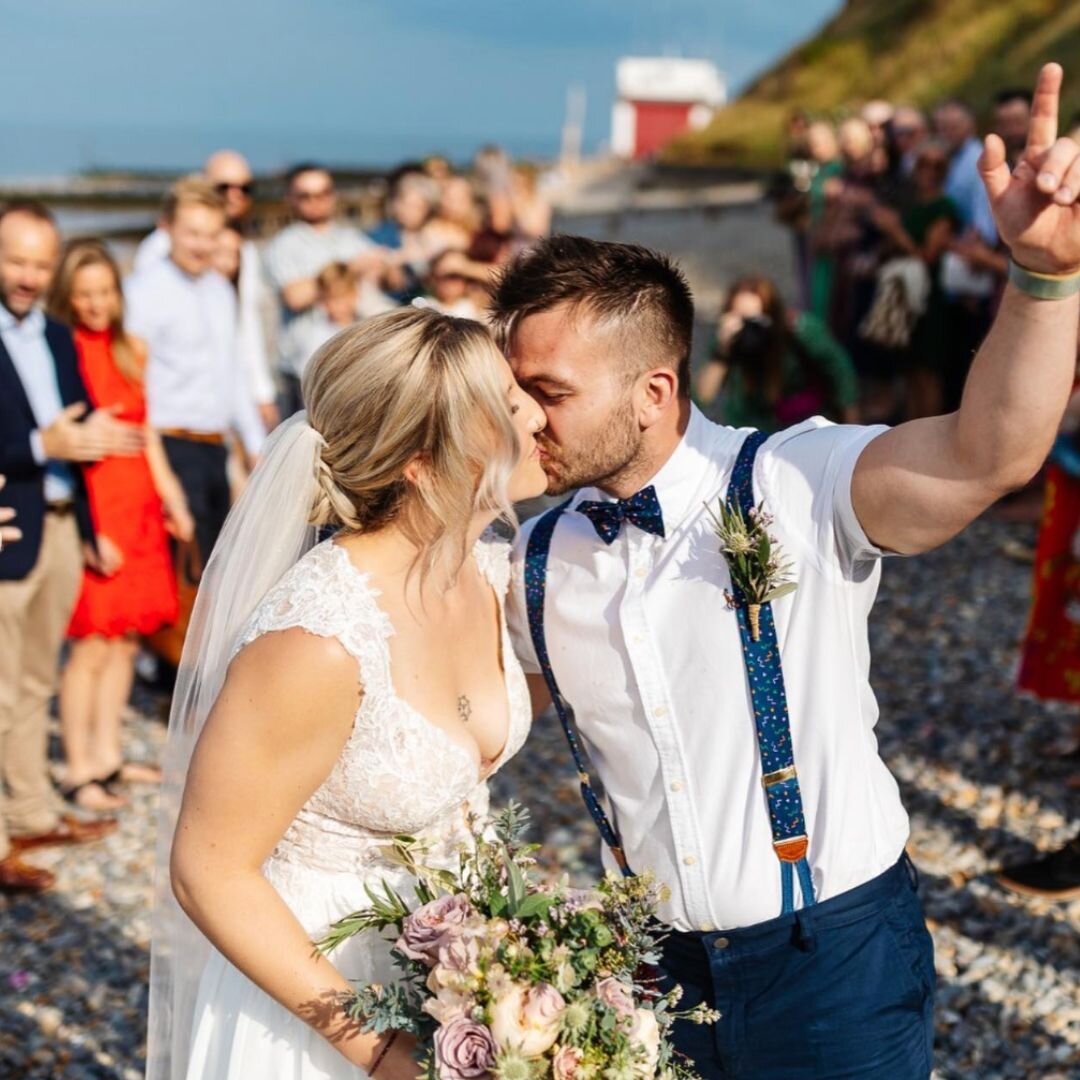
pixel 411 386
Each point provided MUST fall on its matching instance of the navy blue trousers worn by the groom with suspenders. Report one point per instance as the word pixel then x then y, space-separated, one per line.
pixel 844 989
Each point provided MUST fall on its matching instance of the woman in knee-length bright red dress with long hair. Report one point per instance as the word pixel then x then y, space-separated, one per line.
pixel 136 503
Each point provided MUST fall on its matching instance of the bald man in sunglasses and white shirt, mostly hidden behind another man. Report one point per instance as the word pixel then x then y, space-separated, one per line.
pixel 232 178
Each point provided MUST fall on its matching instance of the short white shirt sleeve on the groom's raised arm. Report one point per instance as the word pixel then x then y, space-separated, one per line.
pixel 804 476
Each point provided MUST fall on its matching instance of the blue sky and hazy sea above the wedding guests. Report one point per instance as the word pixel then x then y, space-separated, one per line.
pixel 161 83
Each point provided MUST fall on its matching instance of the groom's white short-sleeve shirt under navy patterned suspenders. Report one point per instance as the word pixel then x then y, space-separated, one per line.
pixel 647 652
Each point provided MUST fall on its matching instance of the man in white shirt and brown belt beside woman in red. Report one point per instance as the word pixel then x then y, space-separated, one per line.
pixel 197 389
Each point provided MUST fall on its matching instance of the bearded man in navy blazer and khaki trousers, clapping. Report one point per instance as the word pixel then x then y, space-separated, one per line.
pixel 48 430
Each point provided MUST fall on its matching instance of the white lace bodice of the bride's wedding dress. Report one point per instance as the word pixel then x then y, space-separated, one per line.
pixel 398 773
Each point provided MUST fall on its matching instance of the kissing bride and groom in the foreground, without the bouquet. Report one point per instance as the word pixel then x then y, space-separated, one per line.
pixel 337 694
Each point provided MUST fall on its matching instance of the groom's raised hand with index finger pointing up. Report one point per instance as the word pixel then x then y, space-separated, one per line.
pixel 1036 206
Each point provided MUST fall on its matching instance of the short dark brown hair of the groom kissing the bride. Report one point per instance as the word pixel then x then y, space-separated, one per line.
pixel 641 289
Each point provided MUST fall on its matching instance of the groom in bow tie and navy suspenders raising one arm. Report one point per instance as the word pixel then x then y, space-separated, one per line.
pixel 742 768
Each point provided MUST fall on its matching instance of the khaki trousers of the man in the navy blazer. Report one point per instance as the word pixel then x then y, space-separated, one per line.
pixel 34 620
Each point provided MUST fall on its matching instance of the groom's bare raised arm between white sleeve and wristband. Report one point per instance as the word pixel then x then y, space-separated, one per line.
pixel 924 482
